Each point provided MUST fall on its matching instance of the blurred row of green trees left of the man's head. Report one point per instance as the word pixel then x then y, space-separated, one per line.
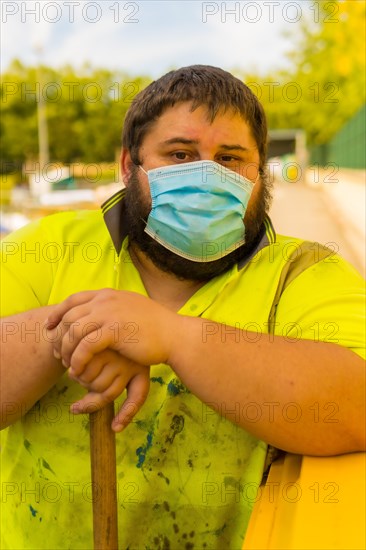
pixel 84 112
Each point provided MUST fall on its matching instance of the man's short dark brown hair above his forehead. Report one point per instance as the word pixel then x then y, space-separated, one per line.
pixel 204 85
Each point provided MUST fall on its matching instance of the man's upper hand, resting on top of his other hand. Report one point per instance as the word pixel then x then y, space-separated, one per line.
pixel 92 321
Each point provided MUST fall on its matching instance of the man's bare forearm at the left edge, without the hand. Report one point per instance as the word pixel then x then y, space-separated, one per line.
pixel 28 367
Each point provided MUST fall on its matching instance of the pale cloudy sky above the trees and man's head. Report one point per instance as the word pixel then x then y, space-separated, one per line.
pixel 150 37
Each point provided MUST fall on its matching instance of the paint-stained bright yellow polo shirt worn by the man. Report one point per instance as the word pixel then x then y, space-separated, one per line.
pixel 187 477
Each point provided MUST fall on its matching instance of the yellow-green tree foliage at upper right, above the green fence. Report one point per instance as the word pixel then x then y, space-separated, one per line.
pixel 326 83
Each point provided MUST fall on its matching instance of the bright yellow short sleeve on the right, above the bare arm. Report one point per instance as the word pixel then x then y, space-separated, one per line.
pixel 325 303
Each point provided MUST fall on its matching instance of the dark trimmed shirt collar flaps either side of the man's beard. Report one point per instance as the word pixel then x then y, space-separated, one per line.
pixel 115 220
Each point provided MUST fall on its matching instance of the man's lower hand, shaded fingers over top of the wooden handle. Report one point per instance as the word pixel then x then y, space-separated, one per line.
pixel 105 377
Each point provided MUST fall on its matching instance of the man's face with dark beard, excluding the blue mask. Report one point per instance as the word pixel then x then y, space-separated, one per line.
pixel 181 136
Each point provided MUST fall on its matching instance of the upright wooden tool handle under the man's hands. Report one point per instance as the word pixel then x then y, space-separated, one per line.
pixel 104 483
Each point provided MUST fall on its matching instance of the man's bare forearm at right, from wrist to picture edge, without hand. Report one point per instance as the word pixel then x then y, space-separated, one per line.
pixel 304 397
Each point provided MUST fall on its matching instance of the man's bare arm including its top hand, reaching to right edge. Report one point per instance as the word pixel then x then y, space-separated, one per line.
pixel 306 397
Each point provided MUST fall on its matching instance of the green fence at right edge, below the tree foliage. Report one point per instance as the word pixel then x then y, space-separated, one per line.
pixel 348 147
